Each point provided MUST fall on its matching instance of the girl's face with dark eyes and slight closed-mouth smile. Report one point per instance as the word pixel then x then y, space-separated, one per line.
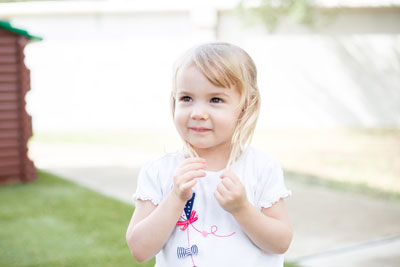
pixel 205 115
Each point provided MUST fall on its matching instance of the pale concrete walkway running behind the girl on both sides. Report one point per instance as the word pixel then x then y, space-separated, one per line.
pixel 331 228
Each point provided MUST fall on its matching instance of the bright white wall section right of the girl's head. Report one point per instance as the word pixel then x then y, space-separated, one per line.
pixel 343 73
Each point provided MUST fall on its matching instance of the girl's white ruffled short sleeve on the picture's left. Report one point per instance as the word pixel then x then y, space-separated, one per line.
pixel 148 185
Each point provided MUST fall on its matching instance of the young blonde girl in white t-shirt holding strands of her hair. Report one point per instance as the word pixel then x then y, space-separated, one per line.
pixel 218 202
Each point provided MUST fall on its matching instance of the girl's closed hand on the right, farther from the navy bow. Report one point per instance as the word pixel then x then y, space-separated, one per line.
pixel 230 193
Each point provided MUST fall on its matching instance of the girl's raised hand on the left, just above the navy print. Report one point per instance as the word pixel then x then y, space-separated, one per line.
pixel 185 174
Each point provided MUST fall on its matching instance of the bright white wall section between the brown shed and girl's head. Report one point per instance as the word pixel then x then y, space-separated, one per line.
pixel 103 72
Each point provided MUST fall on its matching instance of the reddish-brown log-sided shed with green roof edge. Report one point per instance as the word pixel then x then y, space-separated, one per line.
pixel 15 123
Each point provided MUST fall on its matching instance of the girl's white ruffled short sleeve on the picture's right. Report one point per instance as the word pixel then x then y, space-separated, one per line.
pixel 272 187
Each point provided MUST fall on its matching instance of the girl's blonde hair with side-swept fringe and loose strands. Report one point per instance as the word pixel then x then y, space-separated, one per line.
pixel 227 66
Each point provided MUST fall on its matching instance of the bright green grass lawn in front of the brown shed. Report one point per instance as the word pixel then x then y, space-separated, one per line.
pixel 53 222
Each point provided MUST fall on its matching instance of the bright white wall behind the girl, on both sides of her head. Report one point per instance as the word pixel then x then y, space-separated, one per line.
pixel 112 71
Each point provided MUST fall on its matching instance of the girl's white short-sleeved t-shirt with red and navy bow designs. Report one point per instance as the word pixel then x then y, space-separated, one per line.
pixel 214 238
